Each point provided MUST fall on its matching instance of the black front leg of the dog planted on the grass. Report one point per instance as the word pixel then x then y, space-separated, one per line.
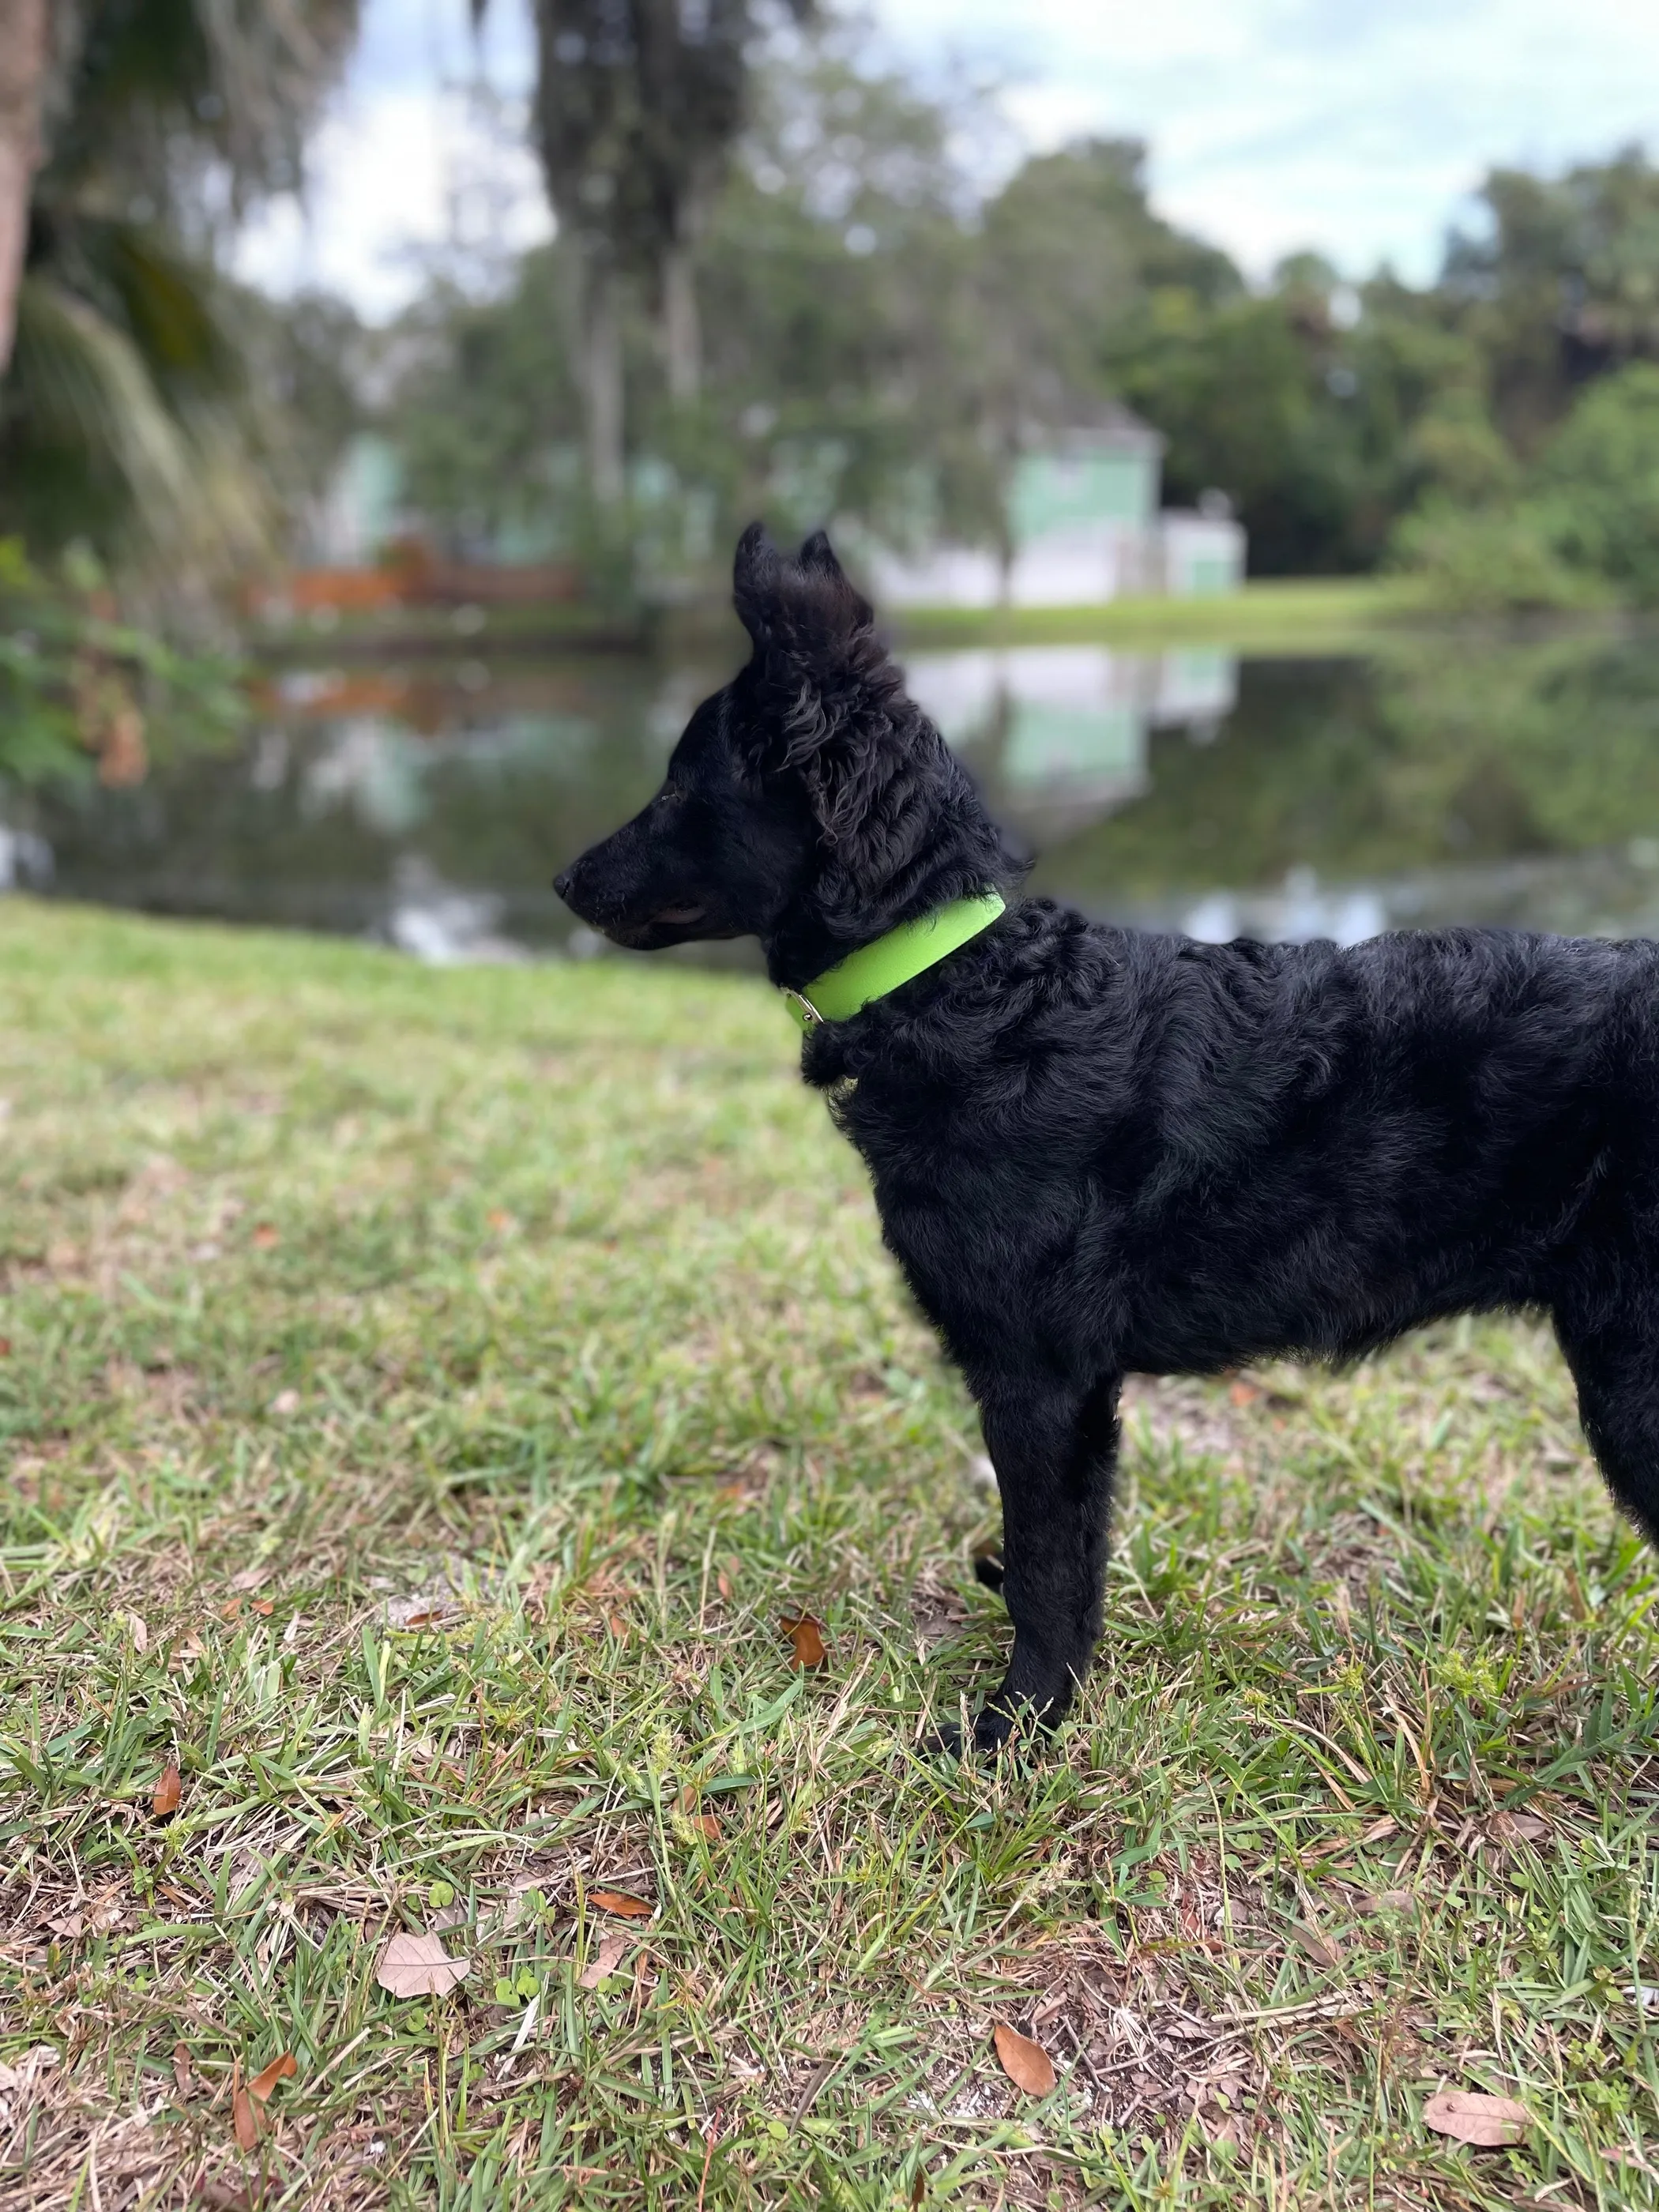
pixel 1054 1450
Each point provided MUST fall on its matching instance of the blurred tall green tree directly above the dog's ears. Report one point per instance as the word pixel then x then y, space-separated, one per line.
pixel 846 344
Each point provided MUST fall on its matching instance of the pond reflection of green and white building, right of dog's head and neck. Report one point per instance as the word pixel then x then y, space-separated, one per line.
pixel 1061 731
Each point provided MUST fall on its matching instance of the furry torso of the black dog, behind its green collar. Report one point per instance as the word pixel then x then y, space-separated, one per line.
pixel 1167 1156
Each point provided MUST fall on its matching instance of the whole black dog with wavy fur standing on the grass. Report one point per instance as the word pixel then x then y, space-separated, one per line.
pixel 1100 1151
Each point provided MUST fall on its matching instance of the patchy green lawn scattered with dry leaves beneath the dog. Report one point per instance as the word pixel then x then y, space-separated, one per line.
pixel 424 1397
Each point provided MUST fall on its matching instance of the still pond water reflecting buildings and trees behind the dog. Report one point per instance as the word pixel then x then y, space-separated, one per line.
pixel 430 806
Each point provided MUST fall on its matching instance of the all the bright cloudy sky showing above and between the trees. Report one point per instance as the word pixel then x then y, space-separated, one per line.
pixel 1353 127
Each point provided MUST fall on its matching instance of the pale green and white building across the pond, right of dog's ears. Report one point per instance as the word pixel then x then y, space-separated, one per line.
pixel 1085 528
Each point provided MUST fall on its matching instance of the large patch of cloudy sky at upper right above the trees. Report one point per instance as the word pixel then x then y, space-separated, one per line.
pixel 1357 127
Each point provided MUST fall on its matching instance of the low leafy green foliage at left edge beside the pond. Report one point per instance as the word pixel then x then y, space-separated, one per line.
pixel 81 689
